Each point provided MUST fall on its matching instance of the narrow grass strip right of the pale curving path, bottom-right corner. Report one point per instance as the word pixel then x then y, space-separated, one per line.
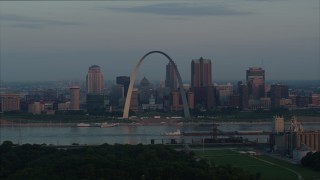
pixel 305 172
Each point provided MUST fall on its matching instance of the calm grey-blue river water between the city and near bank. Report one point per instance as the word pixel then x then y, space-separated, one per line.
pixel 126 134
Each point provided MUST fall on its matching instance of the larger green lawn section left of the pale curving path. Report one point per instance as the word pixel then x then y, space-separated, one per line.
pixel 246 162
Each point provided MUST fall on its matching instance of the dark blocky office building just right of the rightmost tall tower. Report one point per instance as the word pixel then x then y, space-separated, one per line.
pixel 278 92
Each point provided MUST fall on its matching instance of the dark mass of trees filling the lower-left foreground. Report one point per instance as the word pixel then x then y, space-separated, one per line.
pixel 109 162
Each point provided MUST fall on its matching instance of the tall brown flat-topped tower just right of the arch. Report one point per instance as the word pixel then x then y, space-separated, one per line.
pixel 201 75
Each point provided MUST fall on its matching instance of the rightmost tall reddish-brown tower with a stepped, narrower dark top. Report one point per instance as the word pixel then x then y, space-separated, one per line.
pixel 256 82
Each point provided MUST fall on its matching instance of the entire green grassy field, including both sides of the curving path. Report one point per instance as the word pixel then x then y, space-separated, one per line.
pixel 268 167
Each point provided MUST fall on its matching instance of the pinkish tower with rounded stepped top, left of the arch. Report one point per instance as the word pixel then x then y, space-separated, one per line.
pixel 95 83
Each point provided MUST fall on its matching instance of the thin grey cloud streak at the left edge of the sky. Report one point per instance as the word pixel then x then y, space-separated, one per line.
pixel 27 22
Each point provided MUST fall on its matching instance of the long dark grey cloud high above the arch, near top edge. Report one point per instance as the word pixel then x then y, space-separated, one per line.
pixel 184 9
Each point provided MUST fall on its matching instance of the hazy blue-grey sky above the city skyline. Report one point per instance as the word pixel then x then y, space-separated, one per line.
pixel 59 40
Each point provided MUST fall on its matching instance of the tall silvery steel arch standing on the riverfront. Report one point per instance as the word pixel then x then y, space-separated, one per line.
pixel 133 78
